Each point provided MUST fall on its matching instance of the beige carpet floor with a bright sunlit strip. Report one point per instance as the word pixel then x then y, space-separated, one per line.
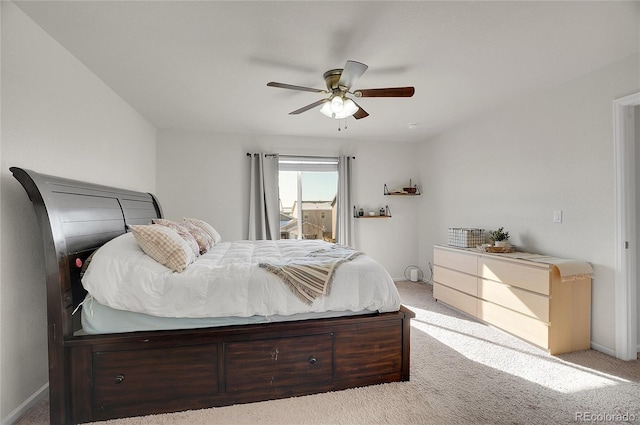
pixel 462 371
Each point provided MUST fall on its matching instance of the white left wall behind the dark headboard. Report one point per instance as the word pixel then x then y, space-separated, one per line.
pixel 57 118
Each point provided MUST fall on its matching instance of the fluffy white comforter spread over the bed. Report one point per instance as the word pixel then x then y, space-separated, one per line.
pixel 226 281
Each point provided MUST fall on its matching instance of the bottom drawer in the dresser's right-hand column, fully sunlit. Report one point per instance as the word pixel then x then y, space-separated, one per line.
pixel 518 324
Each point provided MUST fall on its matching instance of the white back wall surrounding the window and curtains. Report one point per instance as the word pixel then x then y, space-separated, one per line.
pixel 207 175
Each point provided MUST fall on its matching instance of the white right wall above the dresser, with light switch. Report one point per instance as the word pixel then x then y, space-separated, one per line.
pixel 514 167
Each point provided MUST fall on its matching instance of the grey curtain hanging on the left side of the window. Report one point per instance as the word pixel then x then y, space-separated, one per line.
pixel 264 212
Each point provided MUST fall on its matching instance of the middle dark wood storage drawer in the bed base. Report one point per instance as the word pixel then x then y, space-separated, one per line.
pixel 278 362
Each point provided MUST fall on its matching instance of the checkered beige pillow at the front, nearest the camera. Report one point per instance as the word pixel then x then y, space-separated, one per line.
pixel 164 245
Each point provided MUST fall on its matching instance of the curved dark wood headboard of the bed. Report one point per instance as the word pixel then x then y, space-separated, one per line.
pixel 75 218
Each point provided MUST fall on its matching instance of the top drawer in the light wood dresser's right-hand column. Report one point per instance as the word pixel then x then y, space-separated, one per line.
pixel 527 277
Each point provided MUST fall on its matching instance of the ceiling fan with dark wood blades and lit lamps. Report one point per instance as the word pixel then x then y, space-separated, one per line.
pixel 339 82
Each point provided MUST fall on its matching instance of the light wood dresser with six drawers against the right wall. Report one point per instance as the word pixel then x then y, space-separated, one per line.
pixel 527 298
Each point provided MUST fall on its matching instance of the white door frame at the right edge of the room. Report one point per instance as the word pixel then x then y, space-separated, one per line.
pixel 626 325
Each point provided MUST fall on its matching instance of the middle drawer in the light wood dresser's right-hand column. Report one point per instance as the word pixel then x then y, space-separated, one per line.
pixel 525 302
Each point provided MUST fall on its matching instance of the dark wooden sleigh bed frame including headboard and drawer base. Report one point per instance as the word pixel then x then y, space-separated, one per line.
pixel 99 377
